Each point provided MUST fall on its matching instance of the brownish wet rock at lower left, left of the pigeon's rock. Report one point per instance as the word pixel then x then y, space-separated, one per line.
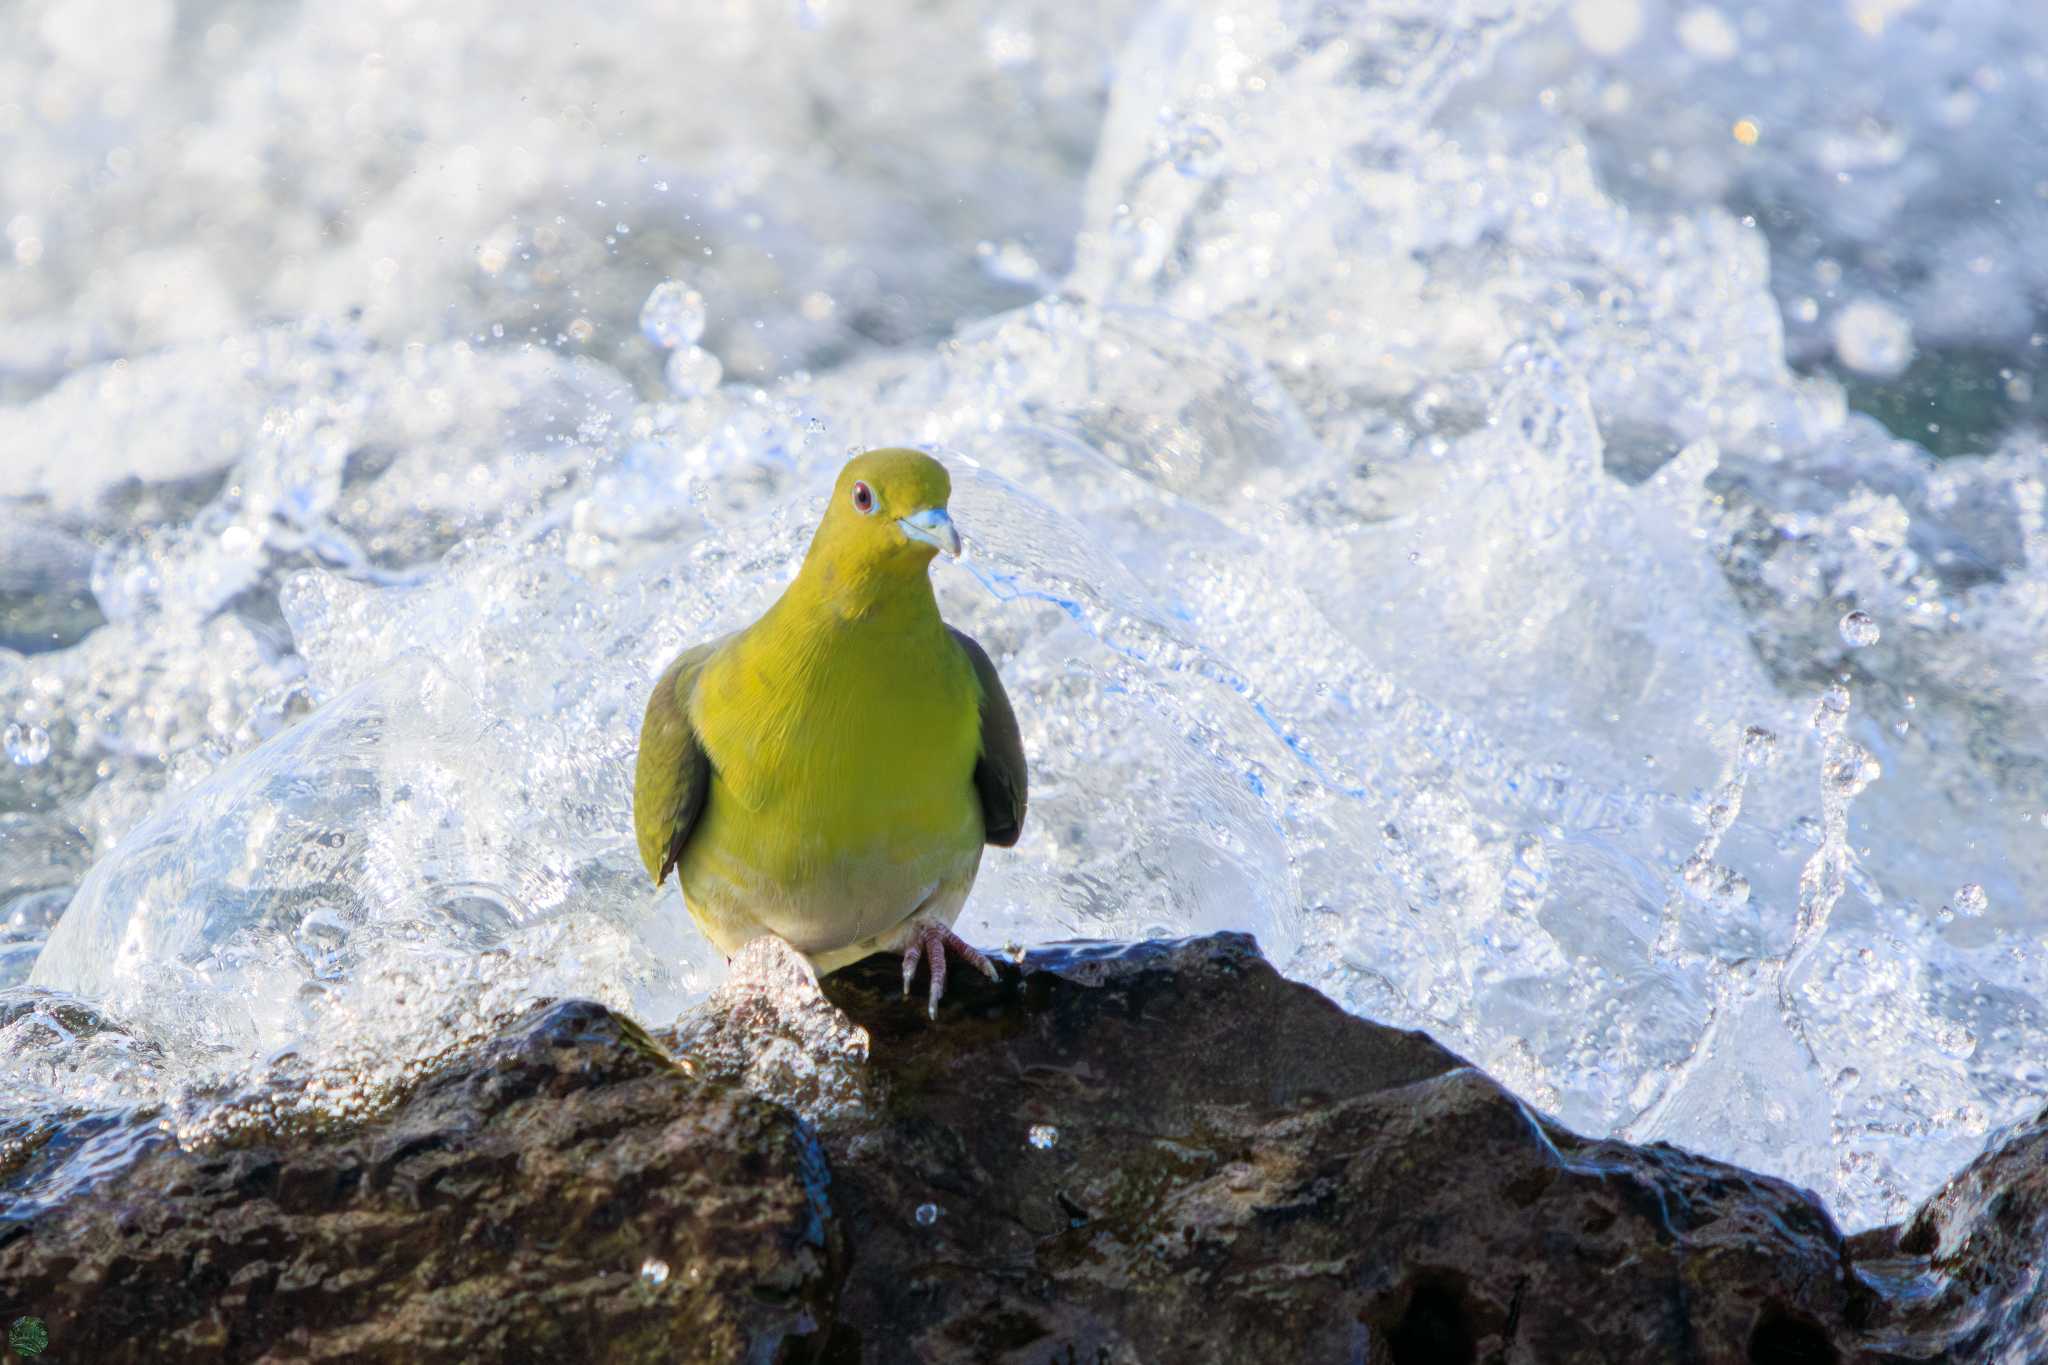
pixel 564 1196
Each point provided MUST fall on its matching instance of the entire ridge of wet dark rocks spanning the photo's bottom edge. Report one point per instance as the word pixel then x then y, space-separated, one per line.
pixel 1113 1155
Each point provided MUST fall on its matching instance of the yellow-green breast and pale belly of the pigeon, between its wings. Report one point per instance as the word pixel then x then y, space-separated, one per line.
pixel 843 777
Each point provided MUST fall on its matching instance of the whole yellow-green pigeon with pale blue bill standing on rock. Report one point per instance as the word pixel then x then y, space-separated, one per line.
pixel 833 773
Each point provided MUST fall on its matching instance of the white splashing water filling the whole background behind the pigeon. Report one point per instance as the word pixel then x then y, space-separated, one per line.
pixel 1396 521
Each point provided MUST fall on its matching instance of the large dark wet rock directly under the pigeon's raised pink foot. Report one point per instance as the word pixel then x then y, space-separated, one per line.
pixel 1246 1174
